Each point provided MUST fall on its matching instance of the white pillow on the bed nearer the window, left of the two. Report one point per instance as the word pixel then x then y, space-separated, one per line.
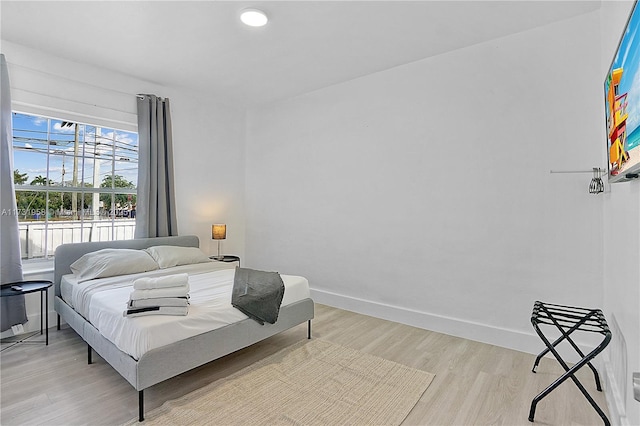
pixel 112 262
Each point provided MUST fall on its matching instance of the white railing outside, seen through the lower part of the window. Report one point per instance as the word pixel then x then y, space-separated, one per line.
pixel 40 240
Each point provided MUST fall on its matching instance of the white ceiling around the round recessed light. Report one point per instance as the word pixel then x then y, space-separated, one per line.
pixel 307 45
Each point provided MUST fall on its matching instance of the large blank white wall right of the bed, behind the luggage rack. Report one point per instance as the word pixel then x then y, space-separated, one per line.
pixel 422 194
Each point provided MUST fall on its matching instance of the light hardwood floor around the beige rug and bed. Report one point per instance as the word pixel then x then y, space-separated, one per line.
pixel 475 383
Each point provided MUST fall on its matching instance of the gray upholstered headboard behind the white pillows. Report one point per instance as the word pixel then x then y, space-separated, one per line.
pixel 66 254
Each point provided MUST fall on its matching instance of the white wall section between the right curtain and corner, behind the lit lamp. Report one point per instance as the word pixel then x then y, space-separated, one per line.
pixel 209 167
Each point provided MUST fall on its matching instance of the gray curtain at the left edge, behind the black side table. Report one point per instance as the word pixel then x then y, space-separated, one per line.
pixel 12 308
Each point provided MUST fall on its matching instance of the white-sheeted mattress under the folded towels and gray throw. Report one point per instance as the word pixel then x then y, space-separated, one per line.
pixel 103 301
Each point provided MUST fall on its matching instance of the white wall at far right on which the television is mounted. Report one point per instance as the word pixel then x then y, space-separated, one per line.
pixel 621 256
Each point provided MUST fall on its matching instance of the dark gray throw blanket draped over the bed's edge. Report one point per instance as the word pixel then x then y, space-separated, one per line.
pixel 258 294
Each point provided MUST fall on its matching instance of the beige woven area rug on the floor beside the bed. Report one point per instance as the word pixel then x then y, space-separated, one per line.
pixel 313 382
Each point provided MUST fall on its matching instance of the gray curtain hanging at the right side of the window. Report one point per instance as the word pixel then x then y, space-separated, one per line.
pixel 156 205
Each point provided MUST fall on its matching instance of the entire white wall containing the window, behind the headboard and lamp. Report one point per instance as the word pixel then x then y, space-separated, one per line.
pixel 208 139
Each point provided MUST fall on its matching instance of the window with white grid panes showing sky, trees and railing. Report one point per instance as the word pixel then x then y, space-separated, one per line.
pixel 74 183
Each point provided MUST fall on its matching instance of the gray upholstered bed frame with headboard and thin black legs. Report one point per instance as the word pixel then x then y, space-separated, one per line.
pixel 163 363
